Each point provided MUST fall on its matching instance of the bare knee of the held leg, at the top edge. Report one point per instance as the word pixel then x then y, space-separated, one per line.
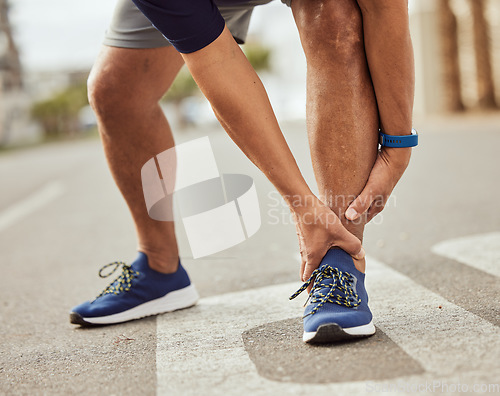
pixel 333 28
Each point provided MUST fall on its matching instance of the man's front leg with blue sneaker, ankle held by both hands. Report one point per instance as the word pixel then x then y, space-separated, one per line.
pixel 342 125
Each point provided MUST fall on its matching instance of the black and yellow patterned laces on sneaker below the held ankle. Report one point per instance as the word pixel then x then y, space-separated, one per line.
pixel 332 279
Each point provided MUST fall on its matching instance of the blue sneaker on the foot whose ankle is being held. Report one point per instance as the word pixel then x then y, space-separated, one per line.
pixel 338 308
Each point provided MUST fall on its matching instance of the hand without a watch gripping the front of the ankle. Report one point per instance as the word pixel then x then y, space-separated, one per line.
pixel 319 229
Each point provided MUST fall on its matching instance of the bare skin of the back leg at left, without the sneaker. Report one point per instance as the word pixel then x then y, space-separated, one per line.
pixel 124 89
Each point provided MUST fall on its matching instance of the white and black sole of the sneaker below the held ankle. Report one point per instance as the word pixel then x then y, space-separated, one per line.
pixel 332 332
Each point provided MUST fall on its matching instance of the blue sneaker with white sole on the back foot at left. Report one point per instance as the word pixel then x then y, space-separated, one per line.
pixel 138 292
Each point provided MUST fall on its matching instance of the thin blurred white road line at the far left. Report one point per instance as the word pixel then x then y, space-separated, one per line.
pixel 32 203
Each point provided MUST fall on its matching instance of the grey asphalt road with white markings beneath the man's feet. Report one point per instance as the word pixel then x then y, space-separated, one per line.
pixel 433 278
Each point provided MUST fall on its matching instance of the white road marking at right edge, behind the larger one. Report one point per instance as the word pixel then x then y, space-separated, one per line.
pixel 478 251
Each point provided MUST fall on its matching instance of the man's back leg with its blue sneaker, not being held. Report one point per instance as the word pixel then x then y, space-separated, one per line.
pixel 125 87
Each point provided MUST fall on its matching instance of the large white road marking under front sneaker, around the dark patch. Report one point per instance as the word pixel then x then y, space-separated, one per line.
pixel 201 351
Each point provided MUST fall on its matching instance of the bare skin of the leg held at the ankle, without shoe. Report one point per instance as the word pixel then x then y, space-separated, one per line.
pixel 342 118
